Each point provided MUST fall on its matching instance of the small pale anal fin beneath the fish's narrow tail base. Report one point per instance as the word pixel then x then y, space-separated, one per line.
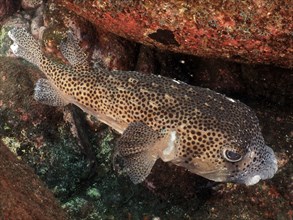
pixel 47 94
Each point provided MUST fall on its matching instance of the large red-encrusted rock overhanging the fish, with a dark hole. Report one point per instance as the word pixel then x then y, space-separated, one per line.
pixel 246 31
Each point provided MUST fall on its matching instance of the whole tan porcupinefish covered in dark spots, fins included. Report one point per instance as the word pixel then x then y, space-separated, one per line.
pixel 208 133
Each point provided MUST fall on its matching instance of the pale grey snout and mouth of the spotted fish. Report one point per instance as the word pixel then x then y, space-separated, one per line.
pixel 265 169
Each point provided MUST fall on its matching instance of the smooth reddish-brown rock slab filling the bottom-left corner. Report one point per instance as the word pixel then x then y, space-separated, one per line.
pixel 22 194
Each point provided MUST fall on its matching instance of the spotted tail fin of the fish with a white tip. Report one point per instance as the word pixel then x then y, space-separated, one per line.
pixel 25 46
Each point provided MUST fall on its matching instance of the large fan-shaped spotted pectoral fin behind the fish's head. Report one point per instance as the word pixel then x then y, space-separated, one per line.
pixel 139 147
